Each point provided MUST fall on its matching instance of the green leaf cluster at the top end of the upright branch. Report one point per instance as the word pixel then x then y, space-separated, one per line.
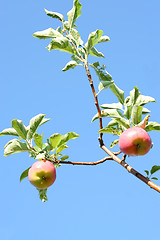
pixel 66 38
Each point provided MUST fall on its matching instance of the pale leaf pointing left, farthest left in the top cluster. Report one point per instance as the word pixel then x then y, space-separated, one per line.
pixel 48 33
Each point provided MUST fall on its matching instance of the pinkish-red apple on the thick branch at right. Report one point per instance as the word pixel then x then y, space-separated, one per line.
pixel 135 141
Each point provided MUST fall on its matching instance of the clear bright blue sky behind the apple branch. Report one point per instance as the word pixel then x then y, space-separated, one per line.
pixel 100 202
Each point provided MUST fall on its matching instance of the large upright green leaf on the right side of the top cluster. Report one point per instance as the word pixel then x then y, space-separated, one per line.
pixel 93 39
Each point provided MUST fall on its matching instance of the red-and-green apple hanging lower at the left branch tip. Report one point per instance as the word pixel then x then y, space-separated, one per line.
pixel 42 174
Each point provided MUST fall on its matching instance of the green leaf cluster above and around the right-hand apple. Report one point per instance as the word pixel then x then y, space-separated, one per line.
pixel 126 113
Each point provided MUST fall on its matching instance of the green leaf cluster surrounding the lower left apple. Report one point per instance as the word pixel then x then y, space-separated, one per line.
pixel 28 140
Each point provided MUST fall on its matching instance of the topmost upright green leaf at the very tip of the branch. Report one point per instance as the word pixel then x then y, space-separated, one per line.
pixel 74 13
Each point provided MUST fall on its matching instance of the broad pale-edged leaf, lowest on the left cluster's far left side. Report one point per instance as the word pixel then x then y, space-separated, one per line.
pixel 15 146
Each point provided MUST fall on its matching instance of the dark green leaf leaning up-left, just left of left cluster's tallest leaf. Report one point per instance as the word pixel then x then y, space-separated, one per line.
pixel 20 128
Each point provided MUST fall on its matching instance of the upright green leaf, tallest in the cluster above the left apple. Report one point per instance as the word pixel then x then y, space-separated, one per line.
pixel 35 122
